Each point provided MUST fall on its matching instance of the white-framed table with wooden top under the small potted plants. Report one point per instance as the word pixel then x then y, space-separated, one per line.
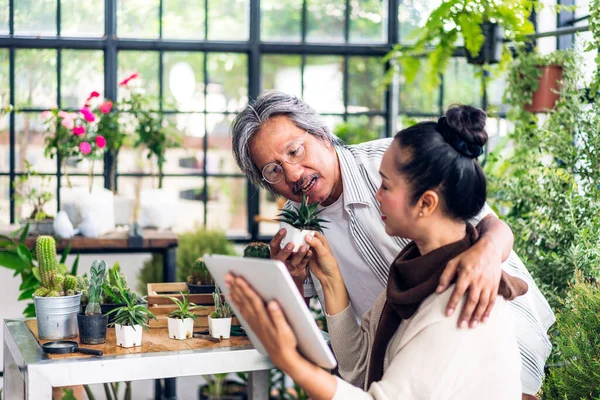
pixel 29 373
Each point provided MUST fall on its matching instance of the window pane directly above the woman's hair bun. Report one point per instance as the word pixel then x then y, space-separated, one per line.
pixel 462 83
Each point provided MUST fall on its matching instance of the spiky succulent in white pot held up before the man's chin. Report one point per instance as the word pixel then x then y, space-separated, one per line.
pixel 300 222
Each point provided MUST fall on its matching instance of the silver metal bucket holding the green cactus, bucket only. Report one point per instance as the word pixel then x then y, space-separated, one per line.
pixel 57 316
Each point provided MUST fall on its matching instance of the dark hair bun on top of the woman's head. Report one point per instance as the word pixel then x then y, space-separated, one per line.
pixel 468 123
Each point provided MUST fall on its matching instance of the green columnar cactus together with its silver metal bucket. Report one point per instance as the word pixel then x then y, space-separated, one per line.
pixel 56 301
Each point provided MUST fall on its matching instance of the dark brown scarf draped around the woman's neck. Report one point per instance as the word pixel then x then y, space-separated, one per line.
pixel 412 279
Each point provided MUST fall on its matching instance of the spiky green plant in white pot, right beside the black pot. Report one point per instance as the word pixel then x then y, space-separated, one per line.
pixel 130 319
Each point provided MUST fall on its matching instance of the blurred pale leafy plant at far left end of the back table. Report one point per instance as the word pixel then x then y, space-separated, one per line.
pixel 36 194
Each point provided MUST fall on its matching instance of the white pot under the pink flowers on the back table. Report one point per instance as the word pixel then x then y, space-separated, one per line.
pixel 93 213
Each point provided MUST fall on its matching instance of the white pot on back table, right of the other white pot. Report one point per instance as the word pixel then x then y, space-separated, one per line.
pixel 157 208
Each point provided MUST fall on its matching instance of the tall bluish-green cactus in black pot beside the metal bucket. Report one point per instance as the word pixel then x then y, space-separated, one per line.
pixel 92 323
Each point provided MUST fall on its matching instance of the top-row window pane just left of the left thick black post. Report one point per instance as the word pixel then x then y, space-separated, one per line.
pixel 76 20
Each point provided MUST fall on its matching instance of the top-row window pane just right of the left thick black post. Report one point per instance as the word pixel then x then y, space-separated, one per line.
pixel 137 19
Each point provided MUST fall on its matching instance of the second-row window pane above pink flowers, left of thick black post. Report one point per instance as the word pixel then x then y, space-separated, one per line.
pixel 81 73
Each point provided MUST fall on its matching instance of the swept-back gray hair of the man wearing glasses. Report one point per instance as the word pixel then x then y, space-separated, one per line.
pixel 257 113
